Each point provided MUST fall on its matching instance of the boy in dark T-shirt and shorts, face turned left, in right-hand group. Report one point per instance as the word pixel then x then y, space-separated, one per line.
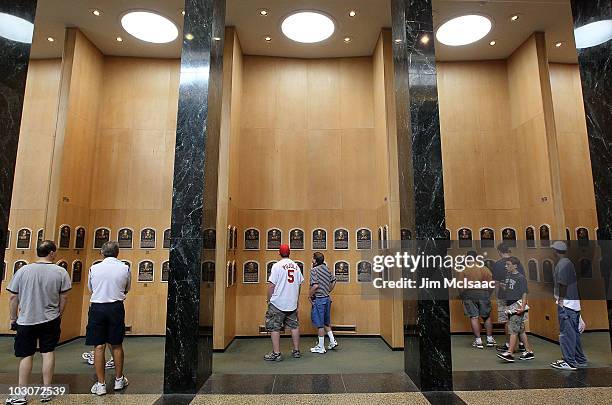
pixel 515 294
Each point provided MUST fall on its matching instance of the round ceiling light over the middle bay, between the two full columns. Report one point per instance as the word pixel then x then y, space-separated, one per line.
pixel 308 27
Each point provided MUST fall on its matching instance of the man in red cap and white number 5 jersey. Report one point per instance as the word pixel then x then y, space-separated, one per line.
pixel 283 295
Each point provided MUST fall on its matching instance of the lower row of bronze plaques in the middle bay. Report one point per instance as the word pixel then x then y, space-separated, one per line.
pixel 342 271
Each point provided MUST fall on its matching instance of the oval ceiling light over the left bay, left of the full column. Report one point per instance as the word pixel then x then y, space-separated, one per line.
pixel 149 27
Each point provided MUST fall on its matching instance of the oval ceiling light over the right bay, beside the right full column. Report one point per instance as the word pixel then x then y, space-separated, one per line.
pixel 464 30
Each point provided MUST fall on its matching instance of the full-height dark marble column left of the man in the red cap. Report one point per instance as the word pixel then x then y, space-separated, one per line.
pixel 188 357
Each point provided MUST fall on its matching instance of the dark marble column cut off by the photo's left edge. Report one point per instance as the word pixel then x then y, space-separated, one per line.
pixel 14 60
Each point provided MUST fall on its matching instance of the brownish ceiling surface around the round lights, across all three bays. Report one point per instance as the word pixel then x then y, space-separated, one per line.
pixel 550 16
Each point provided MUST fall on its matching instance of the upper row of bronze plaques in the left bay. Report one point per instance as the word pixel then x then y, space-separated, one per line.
pixel 125 238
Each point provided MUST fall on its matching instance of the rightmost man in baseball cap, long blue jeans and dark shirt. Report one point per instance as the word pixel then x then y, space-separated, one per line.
pixel 568 310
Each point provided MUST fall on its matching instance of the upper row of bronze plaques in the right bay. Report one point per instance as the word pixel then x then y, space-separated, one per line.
pixel 487 236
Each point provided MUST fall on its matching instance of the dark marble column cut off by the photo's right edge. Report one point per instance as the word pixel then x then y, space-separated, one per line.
pixel 596 78
